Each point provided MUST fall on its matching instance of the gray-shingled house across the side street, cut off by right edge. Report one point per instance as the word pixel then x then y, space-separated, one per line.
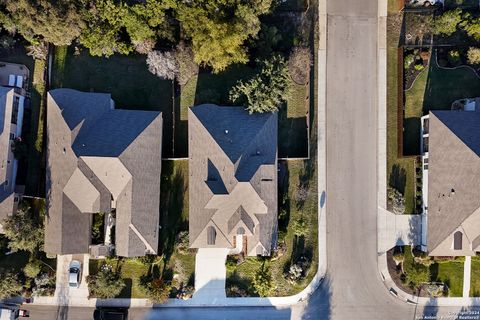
pixel 451 168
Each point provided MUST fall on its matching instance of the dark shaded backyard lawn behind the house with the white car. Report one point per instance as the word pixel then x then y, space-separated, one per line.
pixel 127 78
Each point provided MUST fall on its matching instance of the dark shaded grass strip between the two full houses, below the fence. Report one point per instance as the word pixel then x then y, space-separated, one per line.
pixel 173 191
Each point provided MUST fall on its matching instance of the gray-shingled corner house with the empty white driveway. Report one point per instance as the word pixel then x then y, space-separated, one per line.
pixel 232 179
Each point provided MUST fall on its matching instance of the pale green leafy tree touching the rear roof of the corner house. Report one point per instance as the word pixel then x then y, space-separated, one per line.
pixel 267 90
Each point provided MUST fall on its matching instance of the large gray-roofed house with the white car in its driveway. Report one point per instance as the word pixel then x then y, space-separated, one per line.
pixel 100 159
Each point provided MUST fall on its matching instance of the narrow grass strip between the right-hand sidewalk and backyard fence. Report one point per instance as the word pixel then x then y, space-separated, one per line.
pixel 395 163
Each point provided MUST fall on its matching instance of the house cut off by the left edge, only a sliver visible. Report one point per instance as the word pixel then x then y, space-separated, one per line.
pixel 11 117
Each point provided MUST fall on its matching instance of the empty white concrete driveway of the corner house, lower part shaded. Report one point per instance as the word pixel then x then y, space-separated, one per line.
pixel 210 274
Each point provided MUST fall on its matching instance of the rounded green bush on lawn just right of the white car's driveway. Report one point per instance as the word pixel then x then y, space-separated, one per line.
pixel 106 284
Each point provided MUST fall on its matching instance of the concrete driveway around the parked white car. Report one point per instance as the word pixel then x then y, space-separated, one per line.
pixel 63 292
